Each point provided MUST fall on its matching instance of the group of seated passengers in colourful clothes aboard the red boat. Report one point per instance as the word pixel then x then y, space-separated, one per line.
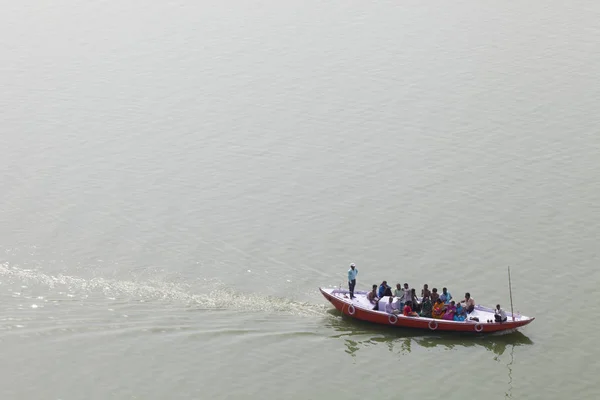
pixel 432 304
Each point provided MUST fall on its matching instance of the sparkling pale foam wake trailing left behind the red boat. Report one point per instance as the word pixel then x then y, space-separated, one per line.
pixel 219 297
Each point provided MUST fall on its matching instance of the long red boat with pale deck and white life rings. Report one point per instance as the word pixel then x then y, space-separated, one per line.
pixel 360 308
